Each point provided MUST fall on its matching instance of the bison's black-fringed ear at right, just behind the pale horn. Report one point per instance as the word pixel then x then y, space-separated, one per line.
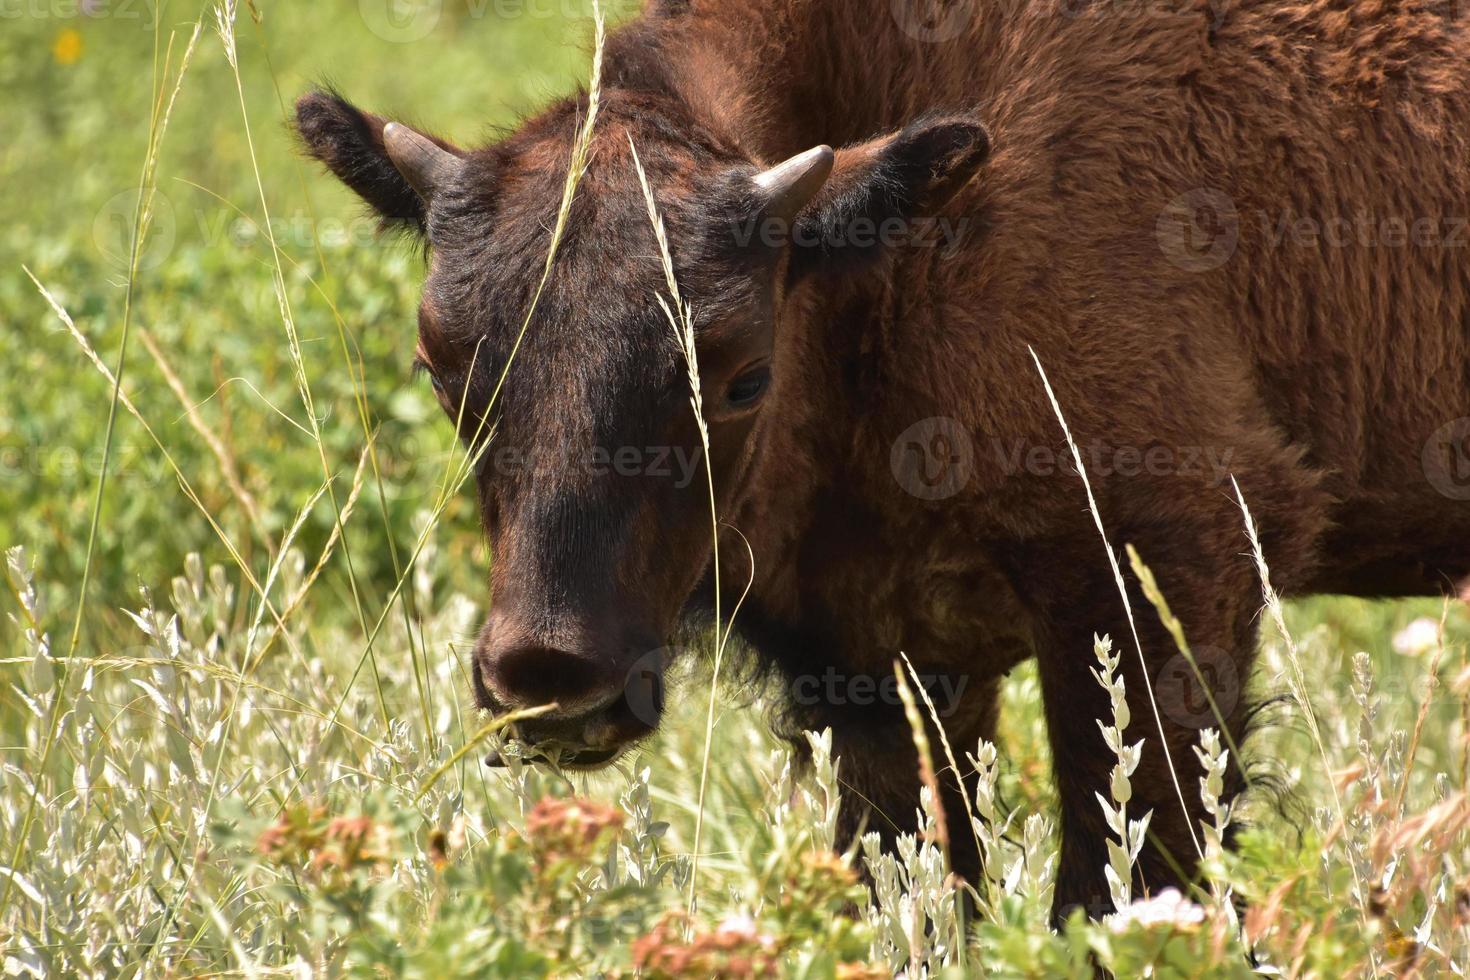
pixel 880 186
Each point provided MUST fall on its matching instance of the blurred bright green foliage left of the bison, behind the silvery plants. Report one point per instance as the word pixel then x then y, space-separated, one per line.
pixel 82 82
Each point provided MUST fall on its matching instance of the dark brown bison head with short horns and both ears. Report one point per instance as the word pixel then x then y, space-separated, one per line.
pixel 592 480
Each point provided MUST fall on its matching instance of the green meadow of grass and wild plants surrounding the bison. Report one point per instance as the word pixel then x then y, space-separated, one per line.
pixel 209 784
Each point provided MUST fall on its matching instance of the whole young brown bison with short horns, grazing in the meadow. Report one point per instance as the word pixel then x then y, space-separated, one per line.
pixel 1234 234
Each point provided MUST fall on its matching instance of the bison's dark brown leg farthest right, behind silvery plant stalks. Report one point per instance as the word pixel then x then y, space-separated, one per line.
pixel 1215 605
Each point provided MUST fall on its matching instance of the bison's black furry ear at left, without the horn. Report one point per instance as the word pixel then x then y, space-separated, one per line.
pixel 349 142
